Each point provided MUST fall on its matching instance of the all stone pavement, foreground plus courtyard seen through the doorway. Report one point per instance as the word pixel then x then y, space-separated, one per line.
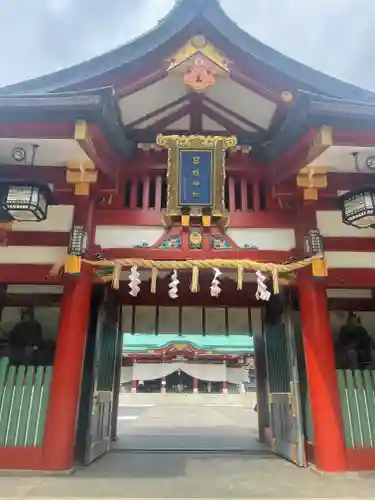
pixel 243 469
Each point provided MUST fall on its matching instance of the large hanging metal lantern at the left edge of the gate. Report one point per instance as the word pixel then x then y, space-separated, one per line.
pixel 24 201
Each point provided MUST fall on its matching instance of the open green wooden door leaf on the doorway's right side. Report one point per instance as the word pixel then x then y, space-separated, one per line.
pixel 283 388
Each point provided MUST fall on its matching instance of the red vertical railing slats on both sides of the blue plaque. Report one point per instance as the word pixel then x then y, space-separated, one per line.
pixel 150 193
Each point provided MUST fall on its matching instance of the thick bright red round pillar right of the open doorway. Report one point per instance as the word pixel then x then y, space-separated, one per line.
pixel 322 380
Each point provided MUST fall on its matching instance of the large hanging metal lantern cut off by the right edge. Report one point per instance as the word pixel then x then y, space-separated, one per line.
pixel 358 207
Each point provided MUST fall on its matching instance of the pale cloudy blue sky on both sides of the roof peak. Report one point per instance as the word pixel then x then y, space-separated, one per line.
pixel 41 36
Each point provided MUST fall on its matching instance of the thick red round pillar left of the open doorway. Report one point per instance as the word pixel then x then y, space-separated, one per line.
pixel 61 421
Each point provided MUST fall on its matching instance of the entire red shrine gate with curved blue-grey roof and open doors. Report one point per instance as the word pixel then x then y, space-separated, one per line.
pixel 200 175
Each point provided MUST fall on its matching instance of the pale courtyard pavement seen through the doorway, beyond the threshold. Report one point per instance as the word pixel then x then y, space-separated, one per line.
pixel 189 424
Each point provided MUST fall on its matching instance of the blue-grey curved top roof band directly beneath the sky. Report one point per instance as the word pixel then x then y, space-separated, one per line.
pixel 183 13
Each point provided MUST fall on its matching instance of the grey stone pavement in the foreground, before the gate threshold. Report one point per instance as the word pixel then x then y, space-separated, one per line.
pixel 122 475
